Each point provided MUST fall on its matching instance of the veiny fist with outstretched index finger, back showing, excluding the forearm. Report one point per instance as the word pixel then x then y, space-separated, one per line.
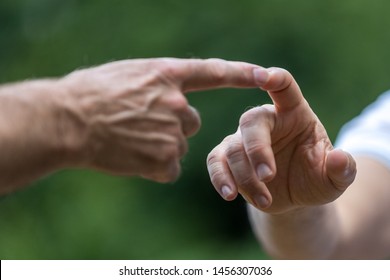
pixel 132 118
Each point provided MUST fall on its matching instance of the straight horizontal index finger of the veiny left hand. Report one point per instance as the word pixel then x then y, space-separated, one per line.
pixel 202 74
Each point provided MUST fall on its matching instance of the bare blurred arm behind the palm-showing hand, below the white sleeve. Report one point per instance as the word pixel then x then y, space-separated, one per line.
pixel 355 226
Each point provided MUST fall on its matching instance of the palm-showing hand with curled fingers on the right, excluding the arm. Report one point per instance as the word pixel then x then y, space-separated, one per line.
pixel 280 158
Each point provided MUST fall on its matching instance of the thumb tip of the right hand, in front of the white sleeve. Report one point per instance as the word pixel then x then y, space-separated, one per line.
pixel 341 168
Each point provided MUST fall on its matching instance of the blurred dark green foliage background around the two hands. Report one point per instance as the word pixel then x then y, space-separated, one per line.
pixel 337 50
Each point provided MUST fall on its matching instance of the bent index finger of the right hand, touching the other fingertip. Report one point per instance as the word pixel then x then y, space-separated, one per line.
pixel 281 86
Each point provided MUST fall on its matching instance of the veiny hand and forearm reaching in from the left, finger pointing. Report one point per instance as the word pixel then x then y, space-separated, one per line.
pixel 127 117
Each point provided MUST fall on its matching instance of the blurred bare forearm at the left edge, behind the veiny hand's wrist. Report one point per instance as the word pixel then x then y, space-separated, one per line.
pixel 32 134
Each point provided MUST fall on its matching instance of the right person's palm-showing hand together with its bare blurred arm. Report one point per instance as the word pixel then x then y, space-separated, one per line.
pixel 306 200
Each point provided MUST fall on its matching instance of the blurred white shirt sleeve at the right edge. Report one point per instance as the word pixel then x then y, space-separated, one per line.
pixel 369 133
